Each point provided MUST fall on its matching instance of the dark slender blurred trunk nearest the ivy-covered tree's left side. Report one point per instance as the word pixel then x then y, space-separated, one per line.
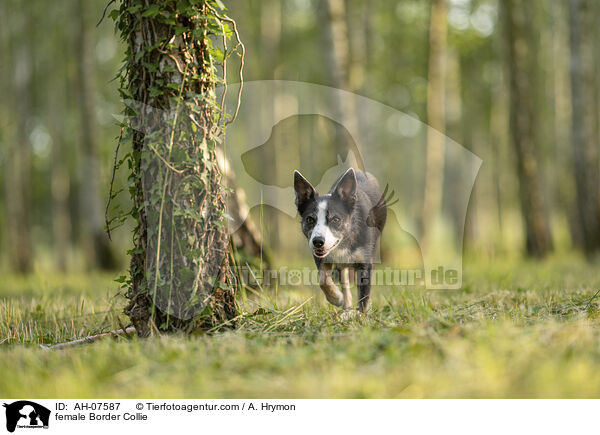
pixel 99 250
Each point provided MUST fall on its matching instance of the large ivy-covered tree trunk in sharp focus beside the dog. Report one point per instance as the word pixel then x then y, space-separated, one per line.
pixel 180 275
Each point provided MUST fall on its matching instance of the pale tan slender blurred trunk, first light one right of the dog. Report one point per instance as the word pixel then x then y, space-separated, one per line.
pixel 436 114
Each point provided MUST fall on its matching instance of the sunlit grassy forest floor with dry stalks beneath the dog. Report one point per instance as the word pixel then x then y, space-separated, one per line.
pixel 517 329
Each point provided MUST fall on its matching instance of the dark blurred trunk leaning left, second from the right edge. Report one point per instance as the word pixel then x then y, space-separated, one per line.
pixel 523 122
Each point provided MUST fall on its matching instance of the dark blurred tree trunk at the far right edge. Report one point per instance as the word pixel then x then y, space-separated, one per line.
pixel 584 135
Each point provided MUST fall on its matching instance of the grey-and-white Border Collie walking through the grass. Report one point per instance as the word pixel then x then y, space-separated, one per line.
pixel 343 228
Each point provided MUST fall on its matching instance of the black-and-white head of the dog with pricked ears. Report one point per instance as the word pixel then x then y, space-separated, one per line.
pixel 326 219
